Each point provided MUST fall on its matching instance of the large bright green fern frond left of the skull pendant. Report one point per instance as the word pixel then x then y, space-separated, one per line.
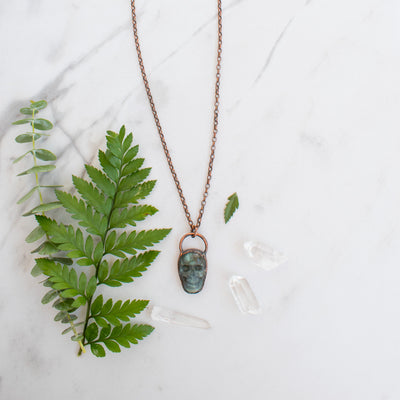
pixel 107 202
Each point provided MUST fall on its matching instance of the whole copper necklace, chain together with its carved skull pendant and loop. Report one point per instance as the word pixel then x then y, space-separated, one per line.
pixel 192 263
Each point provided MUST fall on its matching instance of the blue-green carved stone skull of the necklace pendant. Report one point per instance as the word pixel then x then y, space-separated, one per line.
pixel 192 268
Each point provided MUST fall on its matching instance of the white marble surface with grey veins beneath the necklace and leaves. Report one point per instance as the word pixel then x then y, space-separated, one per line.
pixel 310 140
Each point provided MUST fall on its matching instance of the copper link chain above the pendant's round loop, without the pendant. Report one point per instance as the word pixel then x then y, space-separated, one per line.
pixel 193 227
